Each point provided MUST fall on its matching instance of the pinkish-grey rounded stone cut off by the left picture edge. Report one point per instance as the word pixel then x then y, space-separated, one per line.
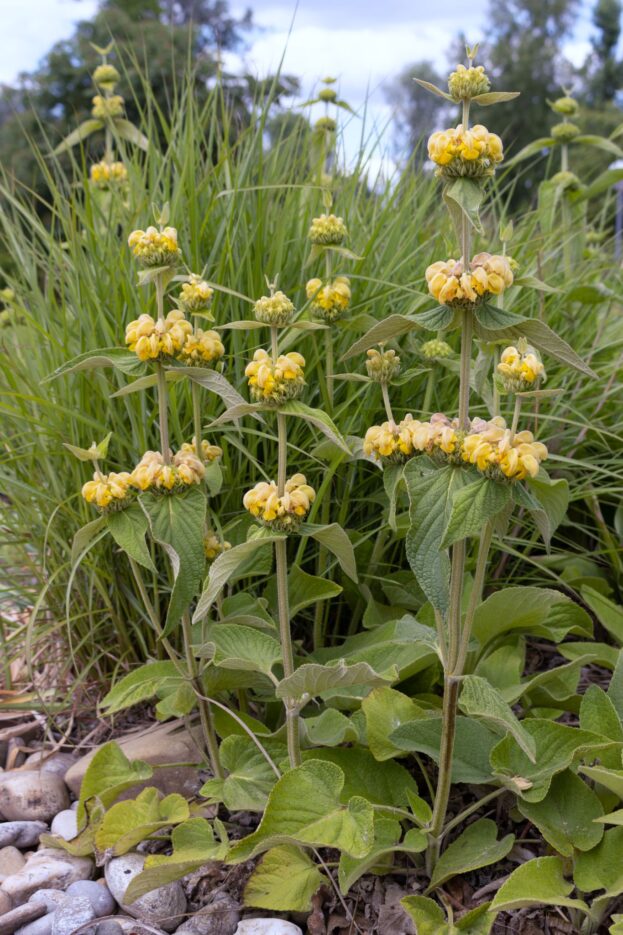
pixel 30 795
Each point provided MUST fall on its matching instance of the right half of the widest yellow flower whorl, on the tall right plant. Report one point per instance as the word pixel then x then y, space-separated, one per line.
pixel 500 455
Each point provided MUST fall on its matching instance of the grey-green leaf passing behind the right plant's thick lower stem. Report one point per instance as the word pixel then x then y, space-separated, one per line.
pixel 473 744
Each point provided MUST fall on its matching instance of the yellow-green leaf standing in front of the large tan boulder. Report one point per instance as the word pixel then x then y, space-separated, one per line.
pixel 108 775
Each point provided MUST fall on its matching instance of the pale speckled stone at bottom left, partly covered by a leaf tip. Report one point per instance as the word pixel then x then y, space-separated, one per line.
pixel 164 907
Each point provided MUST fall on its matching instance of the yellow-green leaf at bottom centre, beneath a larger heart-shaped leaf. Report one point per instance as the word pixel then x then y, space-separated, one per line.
pixel 284 880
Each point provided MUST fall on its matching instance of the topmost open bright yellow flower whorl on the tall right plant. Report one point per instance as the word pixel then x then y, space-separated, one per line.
pixel 459 152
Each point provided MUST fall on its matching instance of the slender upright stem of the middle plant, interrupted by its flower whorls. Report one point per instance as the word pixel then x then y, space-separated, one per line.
pixel 281 572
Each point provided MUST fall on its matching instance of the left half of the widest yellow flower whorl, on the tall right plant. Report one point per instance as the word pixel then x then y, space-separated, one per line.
pixel 399 442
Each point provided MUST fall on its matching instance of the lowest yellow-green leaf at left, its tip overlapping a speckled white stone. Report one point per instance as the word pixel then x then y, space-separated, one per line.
pixel 193 846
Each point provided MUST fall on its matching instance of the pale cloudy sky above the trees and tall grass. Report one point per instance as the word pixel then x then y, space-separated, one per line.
pixel 362 42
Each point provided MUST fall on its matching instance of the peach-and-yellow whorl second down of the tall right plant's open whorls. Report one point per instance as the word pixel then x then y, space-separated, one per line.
pixel 451 284
